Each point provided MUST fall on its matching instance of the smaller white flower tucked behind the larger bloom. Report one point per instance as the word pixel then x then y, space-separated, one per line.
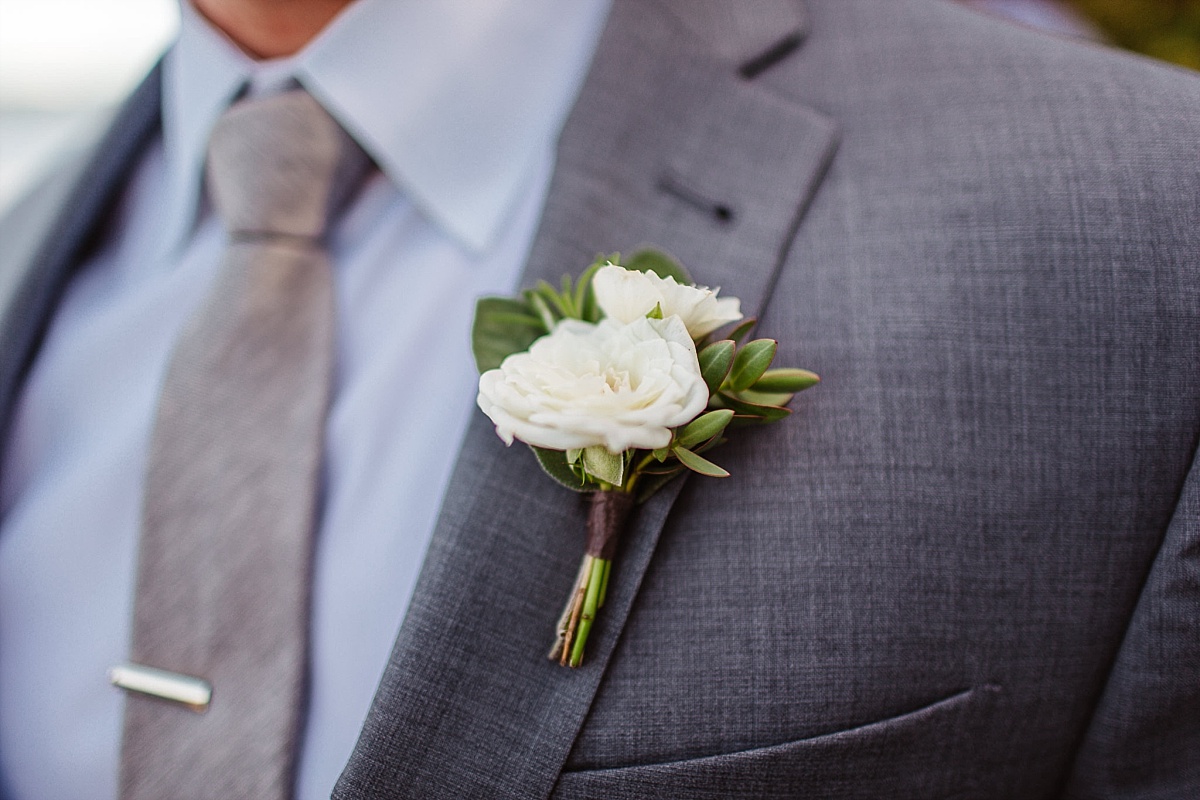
pixel 626 296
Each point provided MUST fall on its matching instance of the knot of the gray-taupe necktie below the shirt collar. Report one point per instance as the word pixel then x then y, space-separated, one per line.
pixel 281 166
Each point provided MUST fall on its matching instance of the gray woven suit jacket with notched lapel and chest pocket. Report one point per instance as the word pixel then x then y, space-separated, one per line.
pixel 970 564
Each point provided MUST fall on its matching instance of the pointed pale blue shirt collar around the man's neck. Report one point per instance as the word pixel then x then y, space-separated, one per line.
pixel 457 101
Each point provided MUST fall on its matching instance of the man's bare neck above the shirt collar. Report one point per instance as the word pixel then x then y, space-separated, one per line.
pixel 271 29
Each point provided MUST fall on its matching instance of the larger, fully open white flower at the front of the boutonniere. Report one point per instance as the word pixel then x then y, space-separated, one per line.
pixel 608 384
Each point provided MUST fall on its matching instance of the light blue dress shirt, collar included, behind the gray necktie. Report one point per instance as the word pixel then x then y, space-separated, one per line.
pixel 460 104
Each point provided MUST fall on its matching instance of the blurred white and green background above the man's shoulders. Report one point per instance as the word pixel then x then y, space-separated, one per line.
pixel 64 63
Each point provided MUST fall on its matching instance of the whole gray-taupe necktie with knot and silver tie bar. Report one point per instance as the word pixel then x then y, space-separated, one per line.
pixel 225 560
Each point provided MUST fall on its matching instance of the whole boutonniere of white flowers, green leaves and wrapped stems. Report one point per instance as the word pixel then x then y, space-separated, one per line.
pixel 619 384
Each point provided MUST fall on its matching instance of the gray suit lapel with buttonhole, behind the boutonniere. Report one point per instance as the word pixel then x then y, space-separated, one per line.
pixel 670 147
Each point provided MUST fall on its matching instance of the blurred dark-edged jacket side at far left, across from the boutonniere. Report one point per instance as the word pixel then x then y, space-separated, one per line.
pixel 50 234
